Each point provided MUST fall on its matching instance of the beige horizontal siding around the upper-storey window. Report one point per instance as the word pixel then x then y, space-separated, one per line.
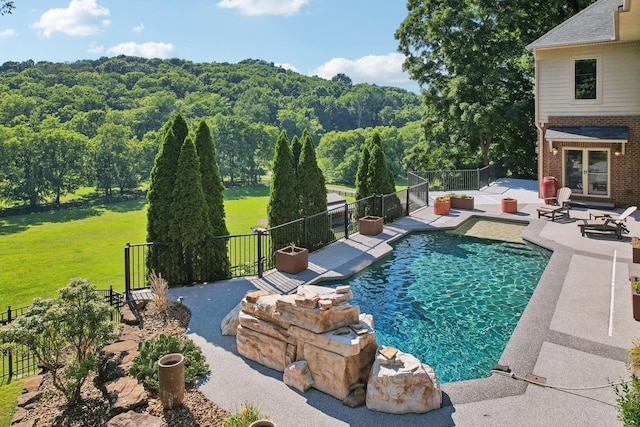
pixel 620 77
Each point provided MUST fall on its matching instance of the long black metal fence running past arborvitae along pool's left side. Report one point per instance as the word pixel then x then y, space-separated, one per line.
pixel 252 254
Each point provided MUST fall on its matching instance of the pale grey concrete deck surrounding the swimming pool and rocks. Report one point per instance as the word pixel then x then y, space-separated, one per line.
pixel 573 333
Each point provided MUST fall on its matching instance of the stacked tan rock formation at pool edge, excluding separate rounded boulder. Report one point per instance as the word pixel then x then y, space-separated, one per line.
pixel 316 325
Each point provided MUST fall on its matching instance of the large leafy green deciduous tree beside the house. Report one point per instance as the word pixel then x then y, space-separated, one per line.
pixel 470 56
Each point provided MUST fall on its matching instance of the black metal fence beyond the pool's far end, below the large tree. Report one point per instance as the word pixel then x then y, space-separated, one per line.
pixel 463 179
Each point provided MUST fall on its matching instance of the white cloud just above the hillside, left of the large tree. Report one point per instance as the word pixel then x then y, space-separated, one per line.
pixel 383 70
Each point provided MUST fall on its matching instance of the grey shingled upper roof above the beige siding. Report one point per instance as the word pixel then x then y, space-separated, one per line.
pixel 594 24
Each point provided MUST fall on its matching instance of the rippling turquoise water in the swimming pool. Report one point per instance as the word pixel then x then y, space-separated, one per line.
pixel 451 300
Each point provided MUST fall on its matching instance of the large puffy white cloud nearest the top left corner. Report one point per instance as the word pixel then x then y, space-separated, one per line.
pixel 81 18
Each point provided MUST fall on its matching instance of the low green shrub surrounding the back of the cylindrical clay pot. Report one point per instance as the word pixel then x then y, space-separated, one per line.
pixel 145 367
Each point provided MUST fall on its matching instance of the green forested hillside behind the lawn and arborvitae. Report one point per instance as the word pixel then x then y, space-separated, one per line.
pixel 98 123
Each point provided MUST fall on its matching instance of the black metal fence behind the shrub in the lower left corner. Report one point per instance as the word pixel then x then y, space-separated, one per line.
pixel 19 361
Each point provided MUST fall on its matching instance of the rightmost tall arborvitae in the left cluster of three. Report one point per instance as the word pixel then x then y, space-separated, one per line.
pixel 215 250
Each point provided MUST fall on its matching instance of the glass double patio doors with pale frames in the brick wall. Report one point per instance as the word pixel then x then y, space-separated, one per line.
pixel 586 171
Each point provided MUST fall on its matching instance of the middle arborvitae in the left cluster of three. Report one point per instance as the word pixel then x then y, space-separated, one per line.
pixel 190 223
